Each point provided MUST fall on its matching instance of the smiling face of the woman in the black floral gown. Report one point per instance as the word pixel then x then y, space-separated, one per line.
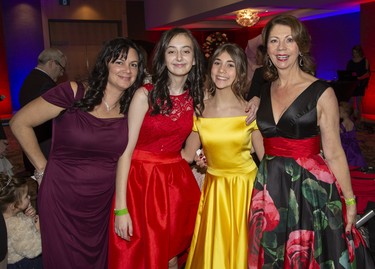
pixel 282 48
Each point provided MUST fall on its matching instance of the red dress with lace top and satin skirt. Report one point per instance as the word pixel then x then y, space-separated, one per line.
pixel 162 193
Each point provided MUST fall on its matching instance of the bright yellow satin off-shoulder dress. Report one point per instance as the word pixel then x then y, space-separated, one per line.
pixel 220 234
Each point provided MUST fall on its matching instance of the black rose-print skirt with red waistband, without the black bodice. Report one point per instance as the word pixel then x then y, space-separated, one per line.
pixel 296 218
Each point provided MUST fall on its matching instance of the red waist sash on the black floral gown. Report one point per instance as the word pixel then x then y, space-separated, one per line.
pixel 292 148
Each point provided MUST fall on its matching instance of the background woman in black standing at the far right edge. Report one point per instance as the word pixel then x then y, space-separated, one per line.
pixel 360 68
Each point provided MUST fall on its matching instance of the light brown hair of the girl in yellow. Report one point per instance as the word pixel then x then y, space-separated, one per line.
pixel 240 83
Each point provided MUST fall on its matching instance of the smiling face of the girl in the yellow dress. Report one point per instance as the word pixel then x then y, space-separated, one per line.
pixel 223 71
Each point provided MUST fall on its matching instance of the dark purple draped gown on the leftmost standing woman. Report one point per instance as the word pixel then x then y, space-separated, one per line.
pixel 76 192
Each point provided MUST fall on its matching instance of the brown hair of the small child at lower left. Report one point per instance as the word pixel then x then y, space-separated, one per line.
pixel 11 190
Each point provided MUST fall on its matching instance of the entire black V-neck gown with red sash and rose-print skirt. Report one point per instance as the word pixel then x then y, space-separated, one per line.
pixel 296 214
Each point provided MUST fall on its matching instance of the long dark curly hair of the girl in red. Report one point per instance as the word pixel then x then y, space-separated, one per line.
pixel 159 98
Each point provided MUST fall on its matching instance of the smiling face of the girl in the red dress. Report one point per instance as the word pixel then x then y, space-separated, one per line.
pixel 179 55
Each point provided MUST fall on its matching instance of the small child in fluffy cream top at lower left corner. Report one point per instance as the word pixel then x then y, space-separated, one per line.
pixel 24 242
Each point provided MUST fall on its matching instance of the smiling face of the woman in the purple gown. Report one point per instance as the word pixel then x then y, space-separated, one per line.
pixel 122 73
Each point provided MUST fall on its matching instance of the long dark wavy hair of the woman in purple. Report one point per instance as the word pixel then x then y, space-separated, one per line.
pixel 98 78
